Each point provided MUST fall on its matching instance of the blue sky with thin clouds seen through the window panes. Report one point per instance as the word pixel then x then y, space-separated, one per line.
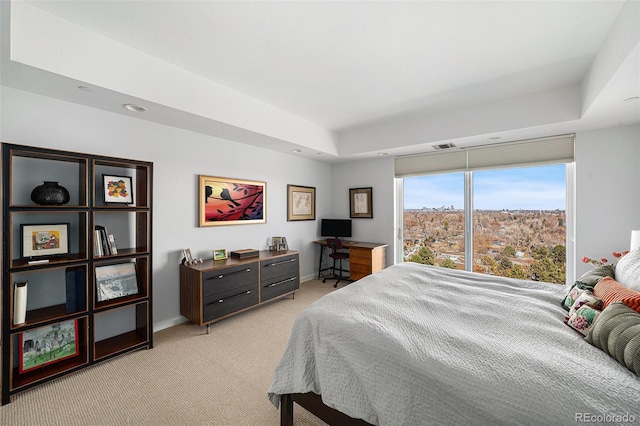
pixel 529 188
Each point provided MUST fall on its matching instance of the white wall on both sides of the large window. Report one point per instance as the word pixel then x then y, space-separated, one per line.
pixel 607 193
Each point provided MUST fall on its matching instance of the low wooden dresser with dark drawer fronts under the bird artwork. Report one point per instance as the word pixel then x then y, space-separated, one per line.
pixel 214 290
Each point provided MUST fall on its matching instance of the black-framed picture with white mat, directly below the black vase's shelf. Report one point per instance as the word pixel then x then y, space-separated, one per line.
pixel 44 240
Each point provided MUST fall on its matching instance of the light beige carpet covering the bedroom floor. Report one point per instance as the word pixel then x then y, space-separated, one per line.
pixel 188 378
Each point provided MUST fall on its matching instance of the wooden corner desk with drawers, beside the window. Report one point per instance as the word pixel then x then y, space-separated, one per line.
pixel 364 258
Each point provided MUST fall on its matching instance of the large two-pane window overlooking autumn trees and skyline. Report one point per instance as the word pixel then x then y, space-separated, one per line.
pixel 507 221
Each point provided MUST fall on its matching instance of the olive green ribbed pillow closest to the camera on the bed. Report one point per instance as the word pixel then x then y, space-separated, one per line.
pixel 616 331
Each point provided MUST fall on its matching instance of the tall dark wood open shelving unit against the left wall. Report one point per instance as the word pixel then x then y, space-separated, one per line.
pixel 63 289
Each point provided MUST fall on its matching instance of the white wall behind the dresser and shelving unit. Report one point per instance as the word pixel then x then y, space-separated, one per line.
pixel 179 156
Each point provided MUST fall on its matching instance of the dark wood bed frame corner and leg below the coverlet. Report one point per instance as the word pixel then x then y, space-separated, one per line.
pixel 313 403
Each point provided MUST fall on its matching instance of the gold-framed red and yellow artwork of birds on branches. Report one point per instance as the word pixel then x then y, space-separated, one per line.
pixel 225 201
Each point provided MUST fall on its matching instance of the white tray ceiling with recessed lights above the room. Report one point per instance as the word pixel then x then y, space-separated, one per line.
pixel 329 78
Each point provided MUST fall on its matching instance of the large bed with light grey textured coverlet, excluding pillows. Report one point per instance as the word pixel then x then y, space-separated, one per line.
pixel 421 345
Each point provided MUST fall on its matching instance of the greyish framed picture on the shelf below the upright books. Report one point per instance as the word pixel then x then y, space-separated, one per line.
pixel 114 281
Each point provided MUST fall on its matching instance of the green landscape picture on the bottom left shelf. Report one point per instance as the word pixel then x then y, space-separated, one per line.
pixel 48 344
